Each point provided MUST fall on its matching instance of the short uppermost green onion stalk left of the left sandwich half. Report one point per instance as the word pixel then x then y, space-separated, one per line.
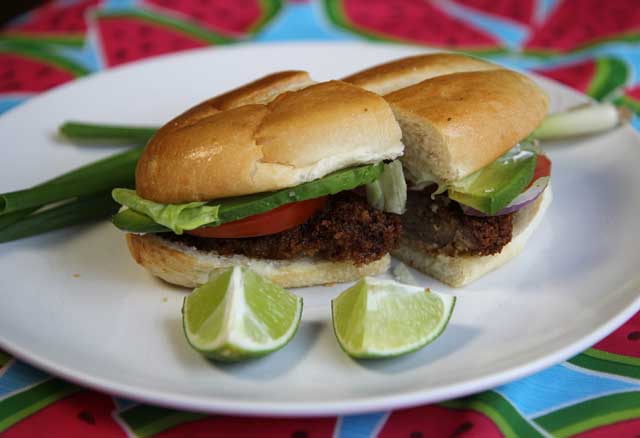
pixel 108 133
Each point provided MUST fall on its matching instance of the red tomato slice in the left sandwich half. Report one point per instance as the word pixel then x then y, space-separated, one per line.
pixel 270 222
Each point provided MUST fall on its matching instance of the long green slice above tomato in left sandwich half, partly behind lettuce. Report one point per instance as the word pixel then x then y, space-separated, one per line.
pixel 232 209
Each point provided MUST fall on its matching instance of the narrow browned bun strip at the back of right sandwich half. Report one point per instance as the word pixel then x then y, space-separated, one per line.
pixel 401 73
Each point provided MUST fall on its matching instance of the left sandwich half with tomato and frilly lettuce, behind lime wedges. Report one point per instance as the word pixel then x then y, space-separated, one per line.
pixel 268 182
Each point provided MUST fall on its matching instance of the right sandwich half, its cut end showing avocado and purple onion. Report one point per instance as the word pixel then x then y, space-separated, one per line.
pixel 477 187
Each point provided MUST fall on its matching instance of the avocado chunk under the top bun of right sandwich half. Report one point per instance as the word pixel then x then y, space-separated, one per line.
pixel 493 187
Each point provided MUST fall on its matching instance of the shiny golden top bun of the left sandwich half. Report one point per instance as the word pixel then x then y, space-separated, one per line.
pixel 300 136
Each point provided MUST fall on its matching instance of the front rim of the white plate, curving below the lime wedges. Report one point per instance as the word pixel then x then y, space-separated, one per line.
pixel 328 408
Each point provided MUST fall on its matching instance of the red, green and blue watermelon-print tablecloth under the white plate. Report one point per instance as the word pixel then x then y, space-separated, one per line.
pixel 591 45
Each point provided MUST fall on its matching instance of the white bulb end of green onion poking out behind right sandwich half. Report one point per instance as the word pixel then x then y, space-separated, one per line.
pixel 582 120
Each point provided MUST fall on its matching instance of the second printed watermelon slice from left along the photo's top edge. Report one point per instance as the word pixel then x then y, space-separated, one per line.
pixel 238 18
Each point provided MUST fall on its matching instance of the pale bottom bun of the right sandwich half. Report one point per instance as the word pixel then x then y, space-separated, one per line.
pixel 459 271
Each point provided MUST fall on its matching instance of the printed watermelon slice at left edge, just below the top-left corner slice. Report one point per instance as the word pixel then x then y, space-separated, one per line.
pixel 25 69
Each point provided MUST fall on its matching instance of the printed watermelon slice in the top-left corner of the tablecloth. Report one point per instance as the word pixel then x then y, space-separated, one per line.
pixel 55 23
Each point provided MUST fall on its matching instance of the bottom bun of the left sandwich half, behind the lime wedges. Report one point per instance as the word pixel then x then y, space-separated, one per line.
pixel 182 265
